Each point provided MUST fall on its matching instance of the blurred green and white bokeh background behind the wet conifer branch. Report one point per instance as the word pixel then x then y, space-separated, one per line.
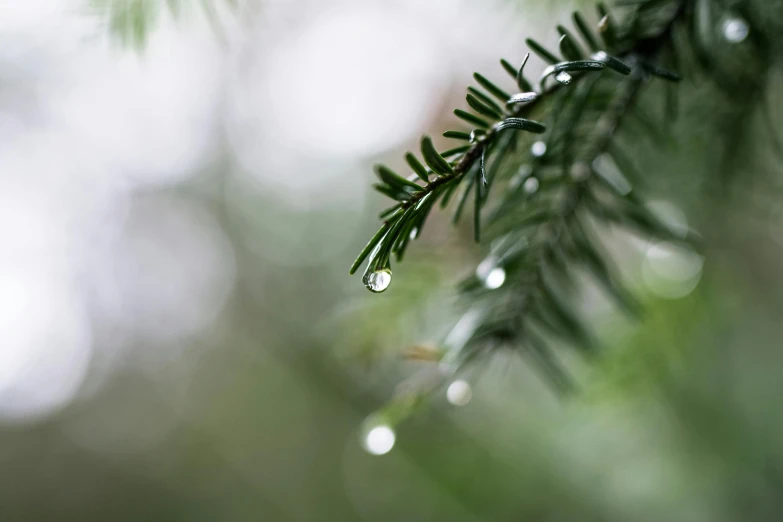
pixel 180 200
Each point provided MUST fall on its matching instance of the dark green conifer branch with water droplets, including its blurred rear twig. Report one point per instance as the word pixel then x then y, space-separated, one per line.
pixel 541 224
